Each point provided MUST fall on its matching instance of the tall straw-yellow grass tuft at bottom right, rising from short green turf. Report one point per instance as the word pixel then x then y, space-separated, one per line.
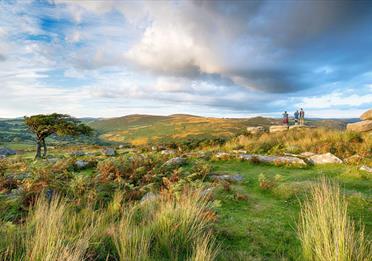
pixel 325 230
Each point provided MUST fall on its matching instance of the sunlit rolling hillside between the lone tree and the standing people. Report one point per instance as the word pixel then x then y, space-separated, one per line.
pixel 142 129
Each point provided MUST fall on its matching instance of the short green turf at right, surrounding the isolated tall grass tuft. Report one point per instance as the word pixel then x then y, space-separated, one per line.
pixel 263 227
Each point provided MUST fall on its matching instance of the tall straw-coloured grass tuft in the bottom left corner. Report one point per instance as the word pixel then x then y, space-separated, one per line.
pixel 51 232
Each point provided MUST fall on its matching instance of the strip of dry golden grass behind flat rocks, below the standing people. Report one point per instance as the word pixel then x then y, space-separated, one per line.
pixel 341 143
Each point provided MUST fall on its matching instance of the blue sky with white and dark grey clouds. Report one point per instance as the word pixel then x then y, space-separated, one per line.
pixel 111 58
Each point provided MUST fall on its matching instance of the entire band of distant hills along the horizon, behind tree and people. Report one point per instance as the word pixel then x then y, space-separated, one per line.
pixel 140 129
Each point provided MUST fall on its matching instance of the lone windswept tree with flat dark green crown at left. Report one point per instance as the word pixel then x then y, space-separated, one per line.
pixel 58 124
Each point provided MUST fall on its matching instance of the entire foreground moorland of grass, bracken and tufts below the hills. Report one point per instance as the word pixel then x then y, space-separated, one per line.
pixel 181 201
